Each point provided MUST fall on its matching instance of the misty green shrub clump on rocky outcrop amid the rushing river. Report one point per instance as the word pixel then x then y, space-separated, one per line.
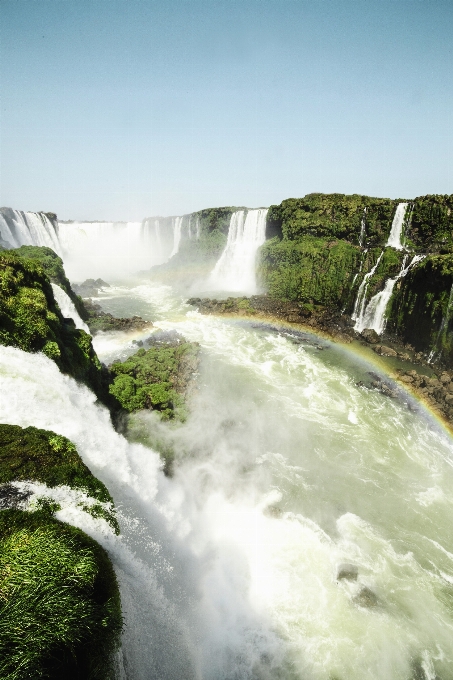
pixel 155 379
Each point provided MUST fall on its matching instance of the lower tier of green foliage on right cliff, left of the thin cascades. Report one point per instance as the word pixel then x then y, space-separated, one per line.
pixel 312 269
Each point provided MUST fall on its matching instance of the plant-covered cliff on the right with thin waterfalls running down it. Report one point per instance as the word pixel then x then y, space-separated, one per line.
pixel 332 250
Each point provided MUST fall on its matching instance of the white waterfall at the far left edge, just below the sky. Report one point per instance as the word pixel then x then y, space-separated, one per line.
pixel 19 228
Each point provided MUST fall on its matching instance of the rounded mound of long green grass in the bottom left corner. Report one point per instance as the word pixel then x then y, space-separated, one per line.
pixel 60 613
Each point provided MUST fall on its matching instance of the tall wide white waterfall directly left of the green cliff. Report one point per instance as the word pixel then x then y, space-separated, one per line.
pixel 235 269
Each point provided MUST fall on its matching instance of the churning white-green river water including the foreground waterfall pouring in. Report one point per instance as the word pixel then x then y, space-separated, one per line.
pixel 285 470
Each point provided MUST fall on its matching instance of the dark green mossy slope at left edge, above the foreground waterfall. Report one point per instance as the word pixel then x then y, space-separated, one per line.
pixel 31 320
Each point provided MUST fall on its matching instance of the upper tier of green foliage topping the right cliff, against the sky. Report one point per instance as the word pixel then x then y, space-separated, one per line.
pixel 332 216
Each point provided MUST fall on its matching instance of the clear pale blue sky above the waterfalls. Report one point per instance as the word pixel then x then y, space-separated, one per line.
pixel 121 109
